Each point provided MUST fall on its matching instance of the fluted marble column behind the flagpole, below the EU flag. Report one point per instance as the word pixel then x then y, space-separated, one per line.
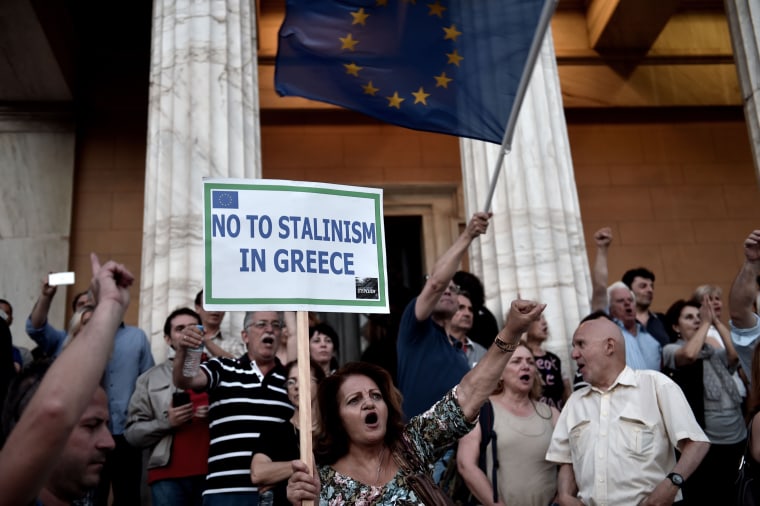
pixel 535 244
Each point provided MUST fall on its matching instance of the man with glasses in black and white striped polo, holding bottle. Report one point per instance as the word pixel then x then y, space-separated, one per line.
pixel 247 396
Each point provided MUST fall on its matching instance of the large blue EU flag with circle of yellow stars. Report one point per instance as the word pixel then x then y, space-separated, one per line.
pixel 449 66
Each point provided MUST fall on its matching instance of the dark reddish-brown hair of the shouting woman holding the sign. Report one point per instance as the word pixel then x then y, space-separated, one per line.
pixel 333 442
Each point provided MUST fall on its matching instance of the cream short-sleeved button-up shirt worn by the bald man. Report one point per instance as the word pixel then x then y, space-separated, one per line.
pixel 620 442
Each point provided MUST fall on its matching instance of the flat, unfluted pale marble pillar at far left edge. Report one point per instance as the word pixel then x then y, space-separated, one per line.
pixel 37 174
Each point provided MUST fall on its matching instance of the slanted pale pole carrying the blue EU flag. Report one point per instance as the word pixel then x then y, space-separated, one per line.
pixel 530 63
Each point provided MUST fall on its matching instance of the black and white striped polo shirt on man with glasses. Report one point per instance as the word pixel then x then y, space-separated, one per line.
pixel 243 403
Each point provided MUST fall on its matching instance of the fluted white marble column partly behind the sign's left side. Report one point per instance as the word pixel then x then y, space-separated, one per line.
pixel 203 122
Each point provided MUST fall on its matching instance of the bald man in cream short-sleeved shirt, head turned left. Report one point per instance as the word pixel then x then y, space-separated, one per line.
pixel 615 439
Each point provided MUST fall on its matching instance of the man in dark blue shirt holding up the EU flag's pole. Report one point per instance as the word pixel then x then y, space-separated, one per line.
pixel 428 364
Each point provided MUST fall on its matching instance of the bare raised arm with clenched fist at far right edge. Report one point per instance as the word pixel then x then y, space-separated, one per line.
pixel 744 289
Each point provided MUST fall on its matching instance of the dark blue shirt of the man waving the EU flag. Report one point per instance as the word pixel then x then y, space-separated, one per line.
pixel 428 365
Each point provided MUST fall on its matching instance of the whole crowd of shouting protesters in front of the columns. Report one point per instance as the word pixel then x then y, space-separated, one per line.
pixel 458 410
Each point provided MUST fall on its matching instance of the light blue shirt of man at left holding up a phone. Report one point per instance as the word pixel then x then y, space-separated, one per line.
pixel 130 358
